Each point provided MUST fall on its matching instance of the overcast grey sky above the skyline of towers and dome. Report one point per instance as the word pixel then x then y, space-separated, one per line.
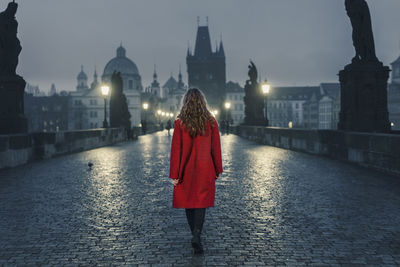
pixel 302 42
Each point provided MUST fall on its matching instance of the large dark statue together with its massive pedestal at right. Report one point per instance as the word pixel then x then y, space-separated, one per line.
pixel 363 83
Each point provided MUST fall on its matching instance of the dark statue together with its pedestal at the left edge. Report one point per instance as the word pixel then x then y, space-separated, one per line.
pixel 12 86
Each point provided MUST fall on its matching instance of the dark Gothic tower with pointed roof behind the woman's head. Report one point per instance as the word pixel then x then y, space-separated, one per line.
pixel 206 69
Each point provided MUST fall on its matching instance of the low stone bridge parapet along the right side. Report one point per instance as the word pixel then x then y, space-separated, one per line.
pixel 377 151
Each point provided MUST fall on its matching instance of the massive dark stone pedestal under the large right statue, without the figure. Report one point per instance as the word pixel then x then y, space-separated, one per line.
pixel 364 97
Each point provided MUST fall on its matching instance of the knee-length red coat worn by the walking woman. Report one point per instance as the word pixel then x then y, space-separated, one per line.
pixel 196 162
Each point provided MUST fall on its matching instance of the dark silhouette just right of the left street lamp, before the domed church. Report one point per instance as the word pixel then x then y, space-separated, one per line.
pixel 119 113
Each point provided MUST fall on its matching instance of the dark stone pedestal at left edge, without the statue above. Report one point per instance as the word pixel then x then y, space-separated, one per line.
pixel 12 118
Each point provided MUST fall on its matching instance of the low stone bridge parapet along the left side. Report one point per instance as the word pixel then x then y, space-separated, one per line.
pixel 19 149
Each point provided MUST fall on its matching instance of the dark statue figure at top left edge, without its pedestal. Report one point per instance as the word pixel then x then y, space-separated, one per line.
pixel 10 47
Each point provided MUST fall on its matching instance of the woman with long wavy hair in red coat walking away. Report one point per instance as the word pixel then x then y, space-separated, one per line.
pixel 195 161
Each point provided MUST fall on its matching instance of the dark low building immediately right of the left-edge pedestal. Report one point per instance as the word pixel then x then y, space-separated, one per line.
pixel 47 113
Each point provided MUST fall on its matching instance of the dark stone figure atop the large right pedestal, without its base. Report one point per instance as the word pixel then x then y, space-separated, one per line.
pixel 363 39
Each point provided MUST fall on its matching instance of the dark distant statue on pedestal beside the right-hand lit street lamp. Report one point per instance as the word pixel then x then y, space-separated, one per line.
pixel 253 99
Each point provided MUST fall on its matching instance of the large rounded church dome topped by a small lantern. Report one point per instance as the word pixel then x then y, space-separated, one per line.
pixel 121 64
